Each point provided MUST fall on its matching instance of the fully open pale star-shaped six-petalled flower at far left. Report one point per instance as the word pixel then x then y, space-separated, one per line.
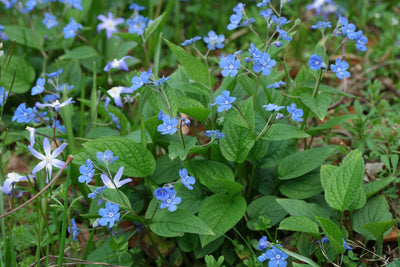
pixel 48 159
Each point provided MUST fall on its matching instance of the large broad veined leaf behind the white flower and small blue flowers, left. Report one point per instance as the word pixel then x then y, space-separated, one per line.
pixel 138 161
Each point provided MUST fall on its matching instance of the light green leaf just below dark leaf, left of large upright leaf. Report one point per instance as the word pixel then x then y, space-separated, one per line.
pixel 301 208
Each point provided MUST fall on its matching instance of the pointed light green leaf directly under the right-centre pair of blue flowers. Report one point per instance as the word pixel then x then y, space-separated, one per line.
pixel 281 131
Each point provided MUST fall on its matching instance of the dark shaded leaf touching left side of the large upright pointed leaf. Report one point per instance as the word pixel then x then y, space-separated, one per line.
pixel 306 186
